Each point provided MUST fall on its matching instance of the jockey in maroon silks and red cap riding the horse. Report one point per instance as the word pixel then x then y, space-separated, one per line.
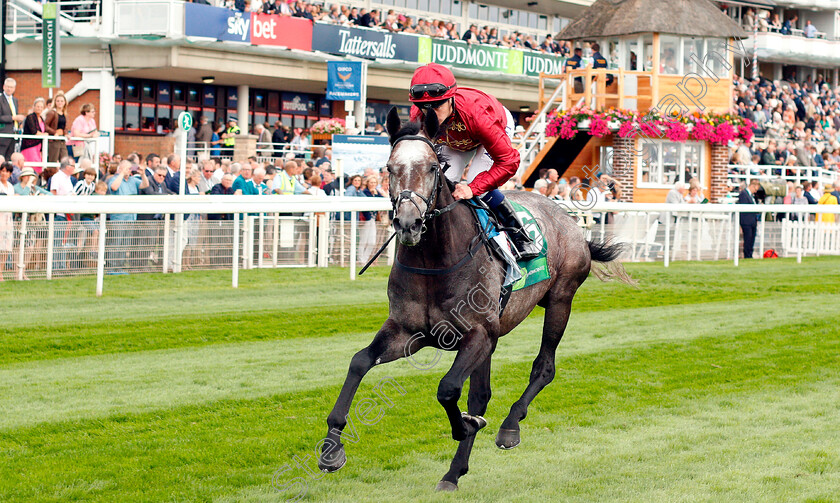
pixel 473 127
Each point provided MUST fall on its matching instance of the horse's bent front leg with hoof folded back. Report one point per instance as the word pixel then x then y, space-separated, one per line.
pixel 475 348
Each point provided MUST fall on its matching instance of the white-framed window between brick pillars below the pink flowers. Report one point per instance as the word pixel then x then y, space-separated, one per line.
pixel 663 163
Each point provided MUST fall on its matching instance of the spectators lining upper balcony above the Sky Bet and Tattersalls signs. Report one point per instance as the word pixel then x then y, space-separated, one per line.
pixel 396 22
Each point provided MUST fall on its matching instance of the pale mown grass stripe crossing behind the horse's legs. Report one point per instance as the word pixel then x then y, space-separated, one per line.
pixel 96 386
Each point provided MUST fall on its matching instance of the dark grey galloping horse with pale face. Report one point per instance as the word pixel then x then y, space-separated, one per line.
pixel 432 292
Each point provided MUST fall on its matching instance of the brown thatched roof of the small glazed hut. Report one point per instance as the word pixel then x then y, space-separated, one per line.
pixel 611 18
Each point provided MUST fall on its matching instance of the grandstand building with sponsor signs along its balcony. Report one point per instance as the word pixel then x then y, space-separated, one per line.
pixel 142 63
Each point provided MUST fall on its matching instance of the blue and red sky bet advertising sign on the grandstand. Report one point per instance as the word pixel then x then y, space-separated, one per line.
pixel 250 28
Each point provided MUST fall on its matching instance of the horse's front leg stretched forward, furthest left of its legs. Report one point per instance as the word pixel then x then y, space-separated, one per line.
pixel 388 345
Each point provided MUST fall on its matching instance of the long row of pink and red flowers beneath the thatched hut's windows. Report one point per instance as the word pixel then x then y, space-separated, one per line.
pixel 714 128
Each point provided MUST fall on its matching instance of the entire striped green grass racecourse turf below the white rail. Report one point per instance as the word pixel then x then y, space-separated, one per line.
pixel 708 383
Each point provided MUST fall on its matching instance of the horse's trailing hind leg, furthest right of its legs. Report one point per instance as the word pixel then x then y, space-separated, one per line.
pixel 542 372
